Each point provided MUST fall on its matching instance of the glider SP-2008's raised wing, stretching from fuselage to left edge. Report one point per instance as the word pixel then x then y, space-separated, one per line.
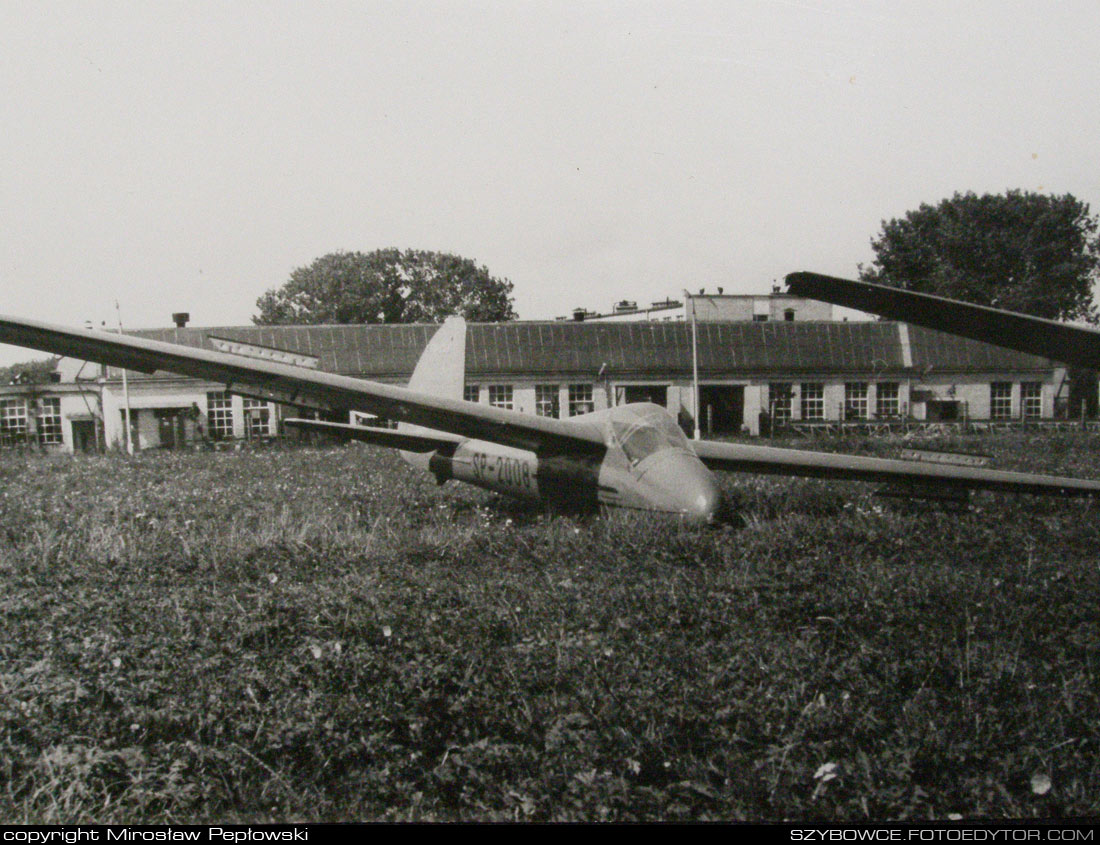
pixel 294 385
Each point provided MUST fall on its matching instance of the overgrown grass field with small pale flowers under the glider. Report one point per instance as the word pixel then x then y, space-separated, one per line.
pixel 326 635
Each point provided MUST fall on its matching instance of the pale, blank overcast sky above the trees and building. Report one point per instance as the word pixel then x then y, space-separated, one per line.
pixel 188 157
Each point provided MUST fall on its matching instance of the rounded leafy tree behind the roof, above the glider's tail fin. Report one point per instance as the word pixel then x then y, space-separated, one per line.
pixel 388 287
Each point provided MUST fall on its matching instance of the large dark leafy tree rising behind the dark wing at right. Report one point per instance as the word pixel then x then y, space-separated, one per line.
pixel 1020 251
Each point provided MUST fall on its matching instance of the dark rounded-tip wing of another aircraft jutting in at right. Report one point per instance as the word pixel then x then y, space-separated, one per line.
pixel 1072 345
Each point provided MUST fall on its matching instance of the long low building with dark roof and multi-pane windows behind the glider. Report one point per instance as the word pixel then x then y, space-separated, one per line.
pixel 755 377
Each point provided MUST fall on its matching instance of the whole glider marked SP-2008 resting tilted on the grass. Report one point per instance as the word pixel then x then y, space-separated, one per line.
pixel 632 456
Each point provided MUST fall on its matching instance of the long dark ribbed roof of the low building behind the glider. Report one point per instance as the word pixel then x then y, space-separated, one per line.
pixel 629 349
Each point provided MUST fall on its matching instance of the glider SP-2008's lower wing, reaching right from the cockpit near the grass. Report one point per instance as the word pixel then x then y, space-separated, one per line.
pixel 772 460
